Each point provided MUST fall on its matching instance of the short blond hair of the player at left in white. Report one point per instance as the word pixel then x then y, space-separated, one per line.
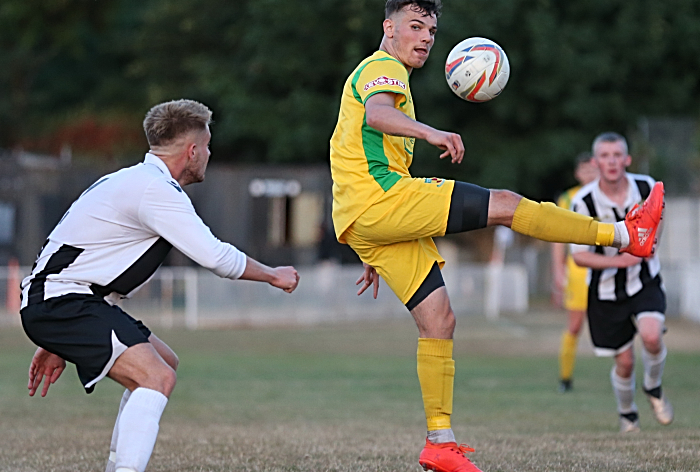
pixel 167 121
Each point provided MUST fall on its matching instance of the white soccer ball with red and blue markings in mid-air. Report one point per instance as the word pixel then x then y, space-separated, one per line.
pixel 477 70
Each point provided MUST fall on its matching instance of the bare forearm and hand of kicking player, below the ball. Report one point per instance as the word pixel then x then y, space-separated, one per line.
pixel 383 116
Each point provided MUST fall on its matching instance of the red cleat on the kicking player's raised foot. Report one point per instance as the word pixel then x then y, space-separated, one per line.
pixel 643 221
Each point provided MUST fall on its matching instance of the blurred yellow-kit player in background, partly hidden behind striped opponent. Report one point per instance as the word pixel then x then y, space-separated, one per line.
pixel 570 279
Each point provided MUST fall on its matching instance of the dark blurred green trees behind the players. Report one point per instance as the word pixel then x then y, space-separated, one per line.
pixel 83 73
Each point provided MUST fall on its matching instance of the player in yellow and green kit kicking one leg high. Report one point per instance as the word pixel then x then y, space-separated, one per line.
pixel 389 218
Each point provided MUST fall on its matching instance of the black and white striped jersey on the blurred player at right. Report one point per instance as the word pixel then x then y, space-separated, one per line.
pixel 615 284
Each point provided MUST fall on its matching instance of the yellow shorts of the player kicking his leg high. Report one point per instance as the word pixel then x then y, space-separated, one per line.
pixel 395 234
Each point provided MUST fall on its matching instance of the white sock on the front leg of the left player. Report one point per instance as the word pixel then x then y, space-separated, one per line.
pixel 138 429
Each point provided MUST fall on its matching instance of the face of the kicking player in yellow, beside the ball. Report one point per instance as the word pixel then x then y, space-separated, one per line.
pixel 412 35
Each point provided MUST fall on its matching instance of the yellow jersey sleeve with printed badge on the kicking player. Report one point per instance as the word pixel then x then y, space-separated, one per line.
pixel 379 76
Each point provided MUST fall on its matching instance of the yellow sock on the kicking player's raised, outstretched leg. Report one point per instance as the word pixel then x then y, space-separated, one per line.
pixel 548 222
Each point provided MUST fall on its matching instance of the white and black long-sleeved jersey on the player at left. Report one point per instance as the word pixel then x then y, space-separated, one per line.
pixel 118 232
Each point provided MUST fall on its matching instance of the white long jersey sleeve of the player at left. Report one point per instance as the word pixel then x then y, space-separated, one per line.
pixel 167 211
